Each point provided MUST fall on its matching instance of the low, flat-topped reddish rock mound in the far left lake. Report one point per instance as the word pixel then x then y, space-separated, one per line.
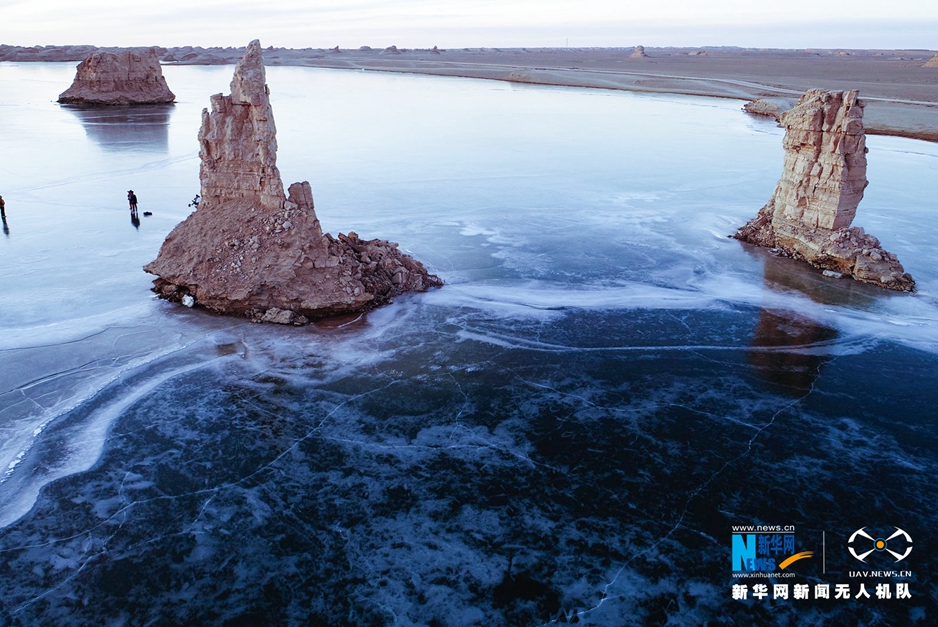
pixel 119 78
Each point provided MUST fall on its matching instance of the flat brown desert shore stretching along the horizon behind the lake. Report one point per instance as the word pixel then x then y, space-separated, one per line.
pixel 901 95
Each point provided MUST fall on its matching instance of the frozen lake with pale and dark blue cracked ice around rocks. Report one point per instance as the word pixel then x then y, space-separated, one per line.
pixel 573 424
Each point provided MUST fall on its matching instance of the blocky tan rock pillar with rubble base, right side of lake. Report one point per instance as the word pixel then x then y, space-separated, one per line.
pixel 816 199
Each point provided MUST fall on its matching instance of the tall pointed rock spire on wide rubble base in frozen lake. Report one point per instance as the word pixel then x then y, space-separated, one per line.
pixel 251 250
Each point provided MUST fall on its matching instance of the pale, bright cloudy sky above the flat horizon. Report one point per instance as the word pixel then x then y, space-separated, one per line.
pixel 911 24
